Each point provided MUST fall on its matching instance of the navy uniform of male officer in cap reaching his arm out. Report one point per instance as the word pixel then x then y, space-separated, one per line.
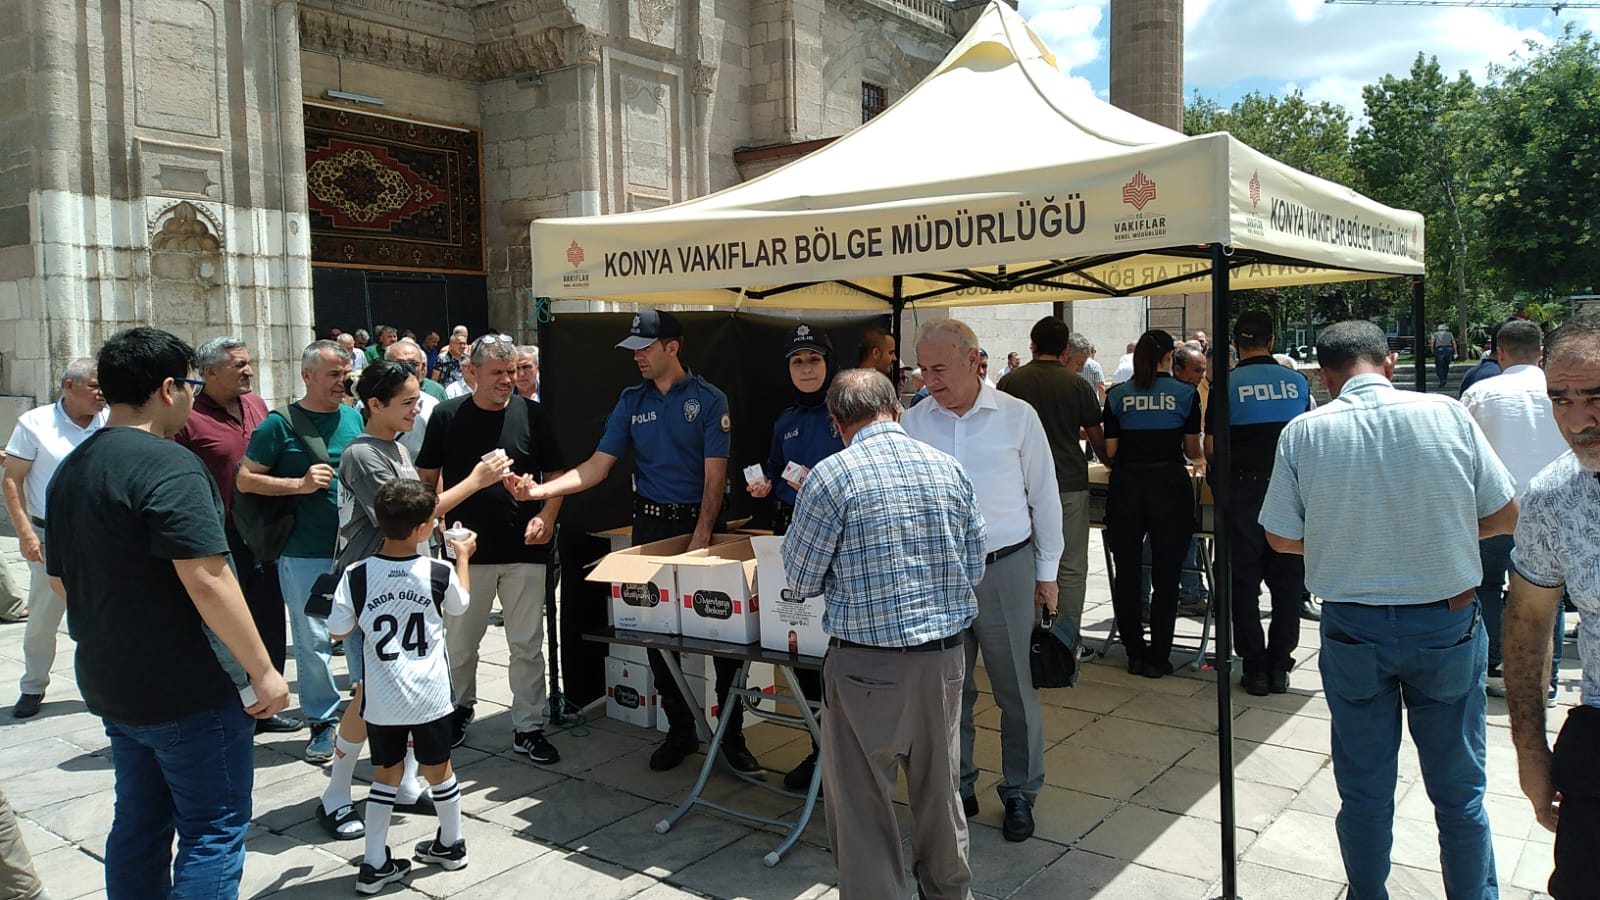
pixel 673 436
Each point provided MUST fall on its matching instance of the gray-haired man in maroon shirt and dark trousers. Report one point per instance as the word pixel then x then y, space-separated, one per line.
pixel 225 416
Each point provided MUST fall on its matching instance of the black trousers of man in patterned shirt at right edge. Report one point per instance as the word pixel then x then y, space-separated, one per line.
pixel 1575 777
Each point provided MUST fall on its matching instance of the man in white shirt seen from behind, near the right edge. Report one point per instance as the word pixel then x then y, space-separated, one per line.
pixel 1514 412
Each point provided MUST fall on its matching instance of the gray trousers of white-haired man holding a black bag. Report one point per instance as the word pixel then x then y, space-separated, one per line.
pixel 1004 630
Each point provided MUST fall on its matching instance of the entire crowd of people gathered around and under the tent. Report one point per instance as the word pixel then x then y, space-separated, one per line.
pixel 937 532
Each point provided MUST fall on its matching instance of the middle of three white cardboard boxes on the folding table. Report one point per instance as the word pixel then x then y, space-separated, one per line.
pixel 718 593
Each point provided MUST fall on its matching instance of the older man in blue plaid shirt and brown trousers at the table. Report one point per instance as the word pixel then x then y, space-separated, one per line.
pixel 889 531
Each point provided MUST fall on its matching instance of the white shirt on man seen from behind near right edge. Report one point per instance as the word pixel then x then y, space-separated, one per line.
pixel 1514 412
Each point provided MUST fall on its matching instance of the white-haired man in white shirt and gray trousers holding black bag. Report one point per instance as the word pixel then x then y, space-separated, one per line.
pixel 1002 446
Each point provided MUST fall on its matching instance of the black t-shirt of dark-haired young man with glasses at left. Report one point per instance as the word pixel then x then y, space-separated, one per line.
pixel 122 508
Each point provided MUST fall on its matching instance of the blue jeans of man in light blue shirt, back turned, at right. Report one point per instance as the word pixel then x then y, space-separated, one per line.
pixel 1434 661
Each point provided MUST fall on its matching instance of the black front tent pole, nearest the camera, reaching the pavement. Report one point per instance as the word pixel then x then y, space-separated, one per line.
pixel 1223 592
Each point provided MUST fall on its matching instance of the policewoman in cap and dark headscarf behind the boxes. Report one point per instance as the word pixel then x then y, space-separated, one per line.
pixel 804 435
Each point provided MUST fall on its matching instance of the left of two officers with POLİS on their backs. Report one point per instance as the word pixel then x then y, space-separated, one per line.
pixel 1153 425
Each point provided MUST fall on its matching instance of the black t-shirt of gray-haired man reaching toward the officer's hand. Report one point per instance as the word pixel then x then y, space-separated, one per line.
pixel 458 435
